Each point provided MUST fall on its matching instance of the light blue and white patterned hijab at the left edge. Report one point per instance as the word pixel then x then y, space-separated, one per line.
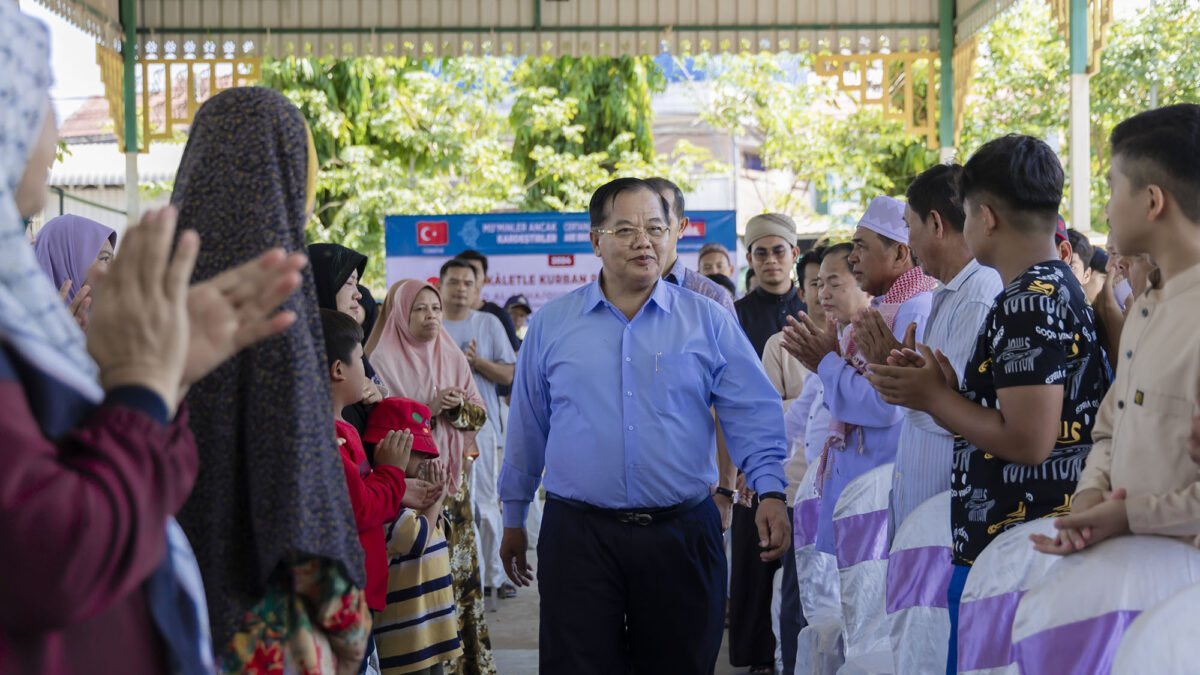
pixel 33 320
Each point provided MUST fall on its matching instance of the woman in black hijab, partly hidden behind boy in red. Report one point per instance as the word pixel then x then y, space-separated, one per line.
pixel 337 272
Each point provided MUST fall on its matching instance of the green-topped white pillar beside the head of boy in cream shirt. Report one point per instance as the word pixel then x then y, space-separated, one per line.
pixel 1081 163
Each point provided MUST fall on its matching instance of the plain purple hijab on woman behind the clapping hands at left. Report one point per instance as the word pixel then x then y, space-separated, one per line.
pixel 68 247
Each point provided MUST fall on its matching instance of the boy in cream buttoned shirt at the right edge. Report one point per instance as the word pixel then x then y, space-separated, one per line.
pixel 1145 427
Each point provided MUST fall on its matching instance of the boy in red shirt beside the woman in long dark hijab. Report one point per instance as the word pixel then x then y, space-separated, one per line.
pixel 375 495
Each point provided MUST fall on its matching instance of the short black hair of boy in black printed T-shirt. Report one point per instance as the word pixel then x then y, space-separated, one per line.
pixel 1024 174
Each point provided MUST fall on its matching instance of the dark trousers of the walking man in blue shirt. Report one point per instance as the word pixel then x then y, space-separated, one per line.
pixel 621 599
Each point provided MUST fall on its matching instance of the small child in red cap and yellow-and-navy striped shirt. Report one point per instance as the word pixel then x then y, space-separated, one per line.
pixel 419 630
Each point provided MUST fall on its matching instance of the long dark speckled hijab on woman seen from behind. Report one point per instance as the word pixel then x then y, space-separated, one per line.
pixel 271 481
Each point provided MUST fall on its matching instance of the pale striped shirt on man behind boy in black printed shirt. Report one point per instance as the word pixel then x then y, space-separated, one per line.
pixel 923 458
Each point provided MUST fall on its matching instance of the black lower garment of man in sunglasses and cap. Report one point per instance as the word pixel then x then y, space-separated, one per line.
pixel 752 640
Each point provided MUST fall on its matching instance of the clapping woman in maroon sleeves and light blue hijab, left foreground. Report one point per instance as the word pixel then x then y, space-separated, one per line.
pixel 97 576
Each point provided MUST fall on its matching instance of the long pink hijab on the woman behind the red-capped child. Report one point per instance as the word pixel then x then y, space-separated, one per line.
pixel 418 371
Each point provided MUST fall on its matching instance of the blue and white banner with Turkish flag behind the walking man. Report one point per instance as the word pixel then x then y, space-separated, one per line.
pixel 541 256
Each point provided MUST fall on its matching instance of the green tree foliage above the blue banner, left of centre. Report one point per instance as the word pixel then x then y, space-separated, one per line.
pixel 412 136
